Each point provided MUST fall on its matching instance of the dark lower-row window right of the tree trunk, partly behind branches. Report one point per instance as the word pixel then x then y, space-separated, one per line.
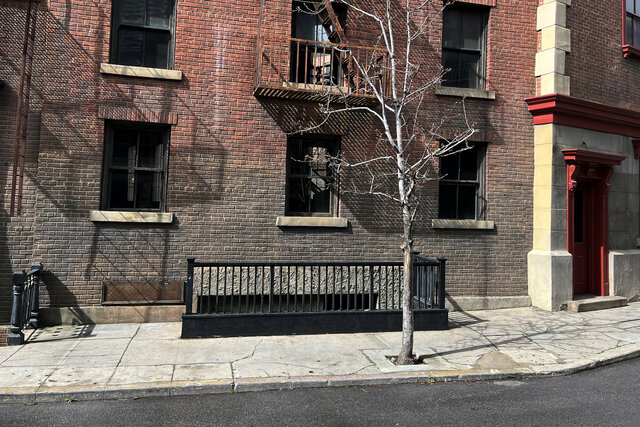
pixel 462 184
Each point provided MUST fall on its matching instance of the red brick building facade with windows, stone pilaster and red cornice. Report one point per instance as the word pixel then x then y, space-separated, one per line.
pixel 161 130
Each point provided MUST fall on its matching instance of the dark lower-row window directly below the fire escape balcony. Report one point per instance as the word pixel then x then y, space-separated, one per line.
pixel 312 184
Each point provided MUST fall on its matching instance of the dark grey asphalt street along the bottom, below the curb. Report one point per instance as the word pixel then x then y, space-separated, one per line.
pixel 605 396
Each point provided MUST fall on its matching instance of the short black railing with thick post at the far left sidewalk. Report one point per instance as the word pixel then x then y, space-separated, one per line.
pixel 26 303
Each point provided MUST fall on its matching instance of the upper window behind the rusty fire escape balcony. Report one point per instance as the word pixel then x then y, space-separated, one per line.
pixel 313 60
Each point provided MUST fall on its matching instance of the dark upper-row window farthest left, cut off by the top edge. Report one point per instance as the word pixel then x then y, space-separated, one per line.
pixel 143 33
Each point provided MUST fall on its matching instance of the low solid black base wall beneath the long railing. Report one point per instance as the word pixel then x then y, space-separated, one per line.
pixel 232 325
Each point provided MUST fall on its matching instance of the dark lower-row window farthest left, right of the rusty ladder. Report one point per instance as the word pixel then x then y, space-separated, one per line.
pixel 135 166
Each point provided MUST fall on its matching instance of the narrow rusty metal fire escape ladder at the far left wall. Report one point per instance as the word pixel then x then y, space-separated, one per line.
pixel 22 109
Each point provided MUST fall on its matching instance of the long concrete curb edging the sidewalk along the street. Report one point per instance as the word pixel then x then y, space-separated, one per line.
pixel 186 388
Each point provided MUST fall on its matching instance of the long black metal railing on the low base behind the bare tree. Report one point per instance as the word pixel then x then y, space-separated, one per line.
pixel 298 287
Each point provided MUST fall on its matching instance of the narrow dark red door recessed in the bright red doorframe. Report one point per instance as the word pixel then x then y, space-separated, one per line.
pixel 581 242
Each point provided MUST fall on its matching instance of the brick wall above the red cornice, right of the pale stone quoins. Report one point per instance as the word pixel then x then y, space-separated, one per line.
pixel 597 68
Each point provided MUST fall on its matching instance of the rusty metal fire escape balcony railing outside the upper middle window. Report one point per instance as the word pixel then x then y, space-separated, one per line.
pixel 309 70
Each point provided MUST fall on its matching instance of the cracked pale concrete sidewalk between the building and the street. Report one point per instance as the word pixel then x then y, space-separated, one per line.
pixel 131 360
